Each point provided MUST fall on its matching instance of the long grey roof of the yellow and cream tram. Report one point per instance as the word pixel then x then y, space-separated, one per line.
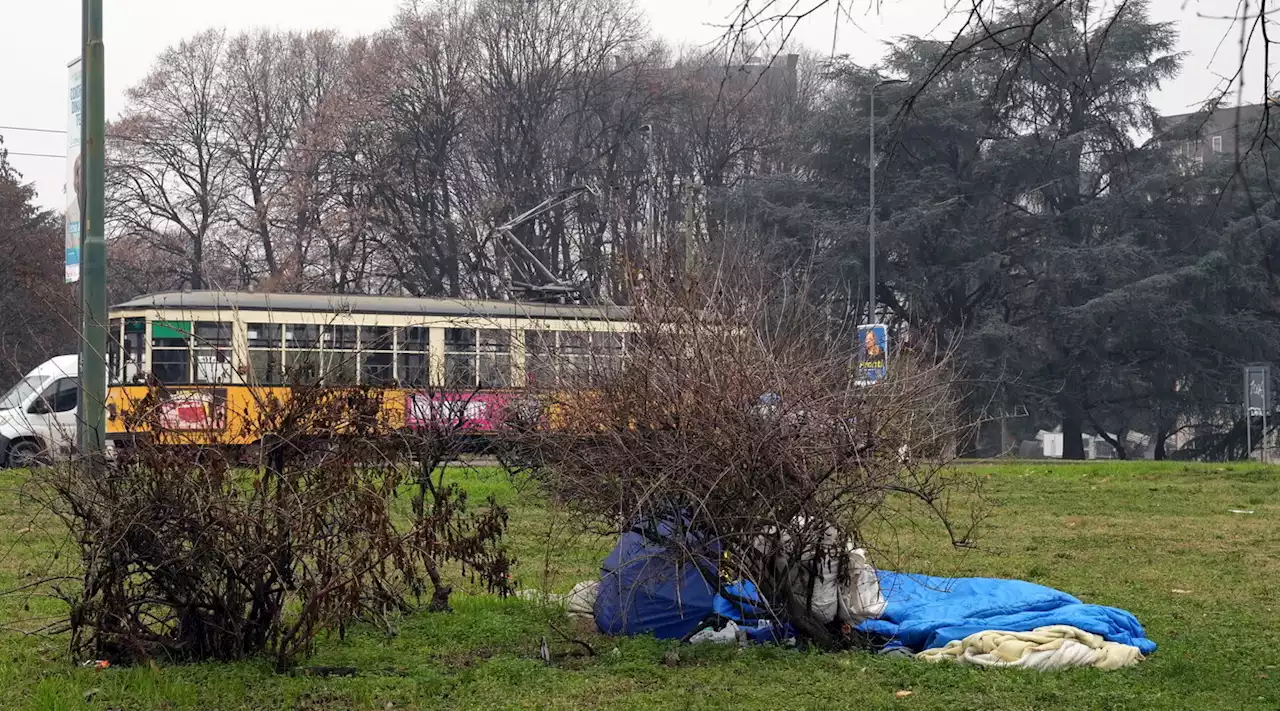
pixel 359 304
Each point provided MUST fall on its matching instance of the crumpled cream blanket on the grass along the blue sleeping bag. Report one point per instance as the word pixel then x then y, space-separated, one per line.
pixel 1044 649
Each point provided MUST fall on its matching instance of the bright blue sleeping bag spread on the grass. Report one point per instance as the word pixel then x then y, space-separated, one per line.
pixel 926 613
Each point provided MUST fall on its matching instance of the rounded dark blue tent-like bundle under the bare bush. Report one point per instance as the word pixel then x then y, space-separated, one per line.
pixel 647 589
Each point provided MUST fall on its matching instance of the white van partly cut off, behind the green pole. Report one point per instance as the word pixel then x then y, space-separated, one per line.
pixel 39 416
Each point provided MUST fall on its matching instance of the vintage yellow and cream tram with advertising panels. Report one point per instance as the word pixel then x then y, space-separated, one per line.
pixel 203 362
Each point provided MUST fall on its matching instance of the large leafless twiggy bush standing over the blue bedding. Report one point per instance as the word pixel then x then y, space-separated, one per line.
pixel 739 417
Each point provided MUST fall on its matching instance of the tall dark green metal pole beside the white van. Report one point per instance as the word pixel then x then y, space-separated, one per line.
pixel 93 358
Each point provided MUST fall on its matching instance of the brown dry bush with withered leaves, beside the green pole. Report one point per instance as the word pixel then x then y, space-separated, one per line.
pixel 188 555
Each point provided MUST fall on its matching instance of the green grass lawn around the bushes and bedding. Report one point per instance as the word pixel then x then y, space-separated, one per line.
pixel 1126 535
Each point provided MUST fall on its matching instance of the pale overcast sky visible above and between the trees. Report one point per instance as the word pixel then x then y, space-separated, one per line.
pixel 39 38
